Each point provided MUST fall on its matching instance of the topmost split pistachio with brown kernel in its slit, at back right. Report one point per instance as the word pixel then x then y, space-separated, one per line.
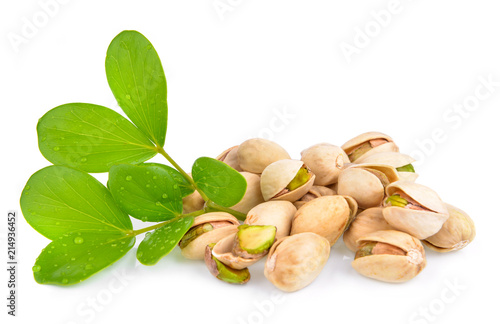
pixel 367 144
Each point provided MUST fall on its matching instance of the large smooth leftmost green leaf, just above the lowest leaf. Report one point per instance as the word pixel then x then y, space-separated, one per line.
pixel 59 200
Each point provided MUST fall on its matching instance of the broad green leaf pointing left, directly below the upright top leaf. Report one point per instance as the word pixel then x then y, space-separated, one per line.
pixel 91 138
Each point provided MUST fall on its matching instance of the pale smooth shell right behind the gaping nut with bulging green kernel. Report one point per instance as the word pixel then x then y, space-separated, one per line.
pixel 277 213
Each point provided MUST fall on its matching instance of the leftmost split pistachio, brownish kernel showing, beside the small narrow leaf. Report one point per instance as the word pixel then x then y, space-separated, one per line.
pixel 206 229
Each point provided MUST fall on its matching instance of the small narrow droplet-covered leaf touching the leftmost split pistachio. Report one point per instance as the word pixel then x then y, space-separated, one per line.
pixel 163 240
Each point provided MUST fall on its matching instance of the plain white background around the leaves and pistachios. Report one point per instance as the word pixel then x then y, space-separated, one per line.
pixel 230 77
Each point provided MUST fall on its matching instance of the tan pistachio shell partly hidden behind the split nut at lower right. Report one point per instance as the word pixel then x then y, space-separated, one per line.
pixel 368 221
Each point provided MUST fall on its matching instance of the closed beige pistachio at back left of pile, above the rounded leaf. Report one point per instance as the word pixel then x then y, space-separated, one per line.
pixel 255 154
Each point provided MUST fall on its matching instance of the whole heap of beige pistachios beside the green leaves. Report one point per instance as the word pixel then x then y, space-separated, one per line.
pixel 296 211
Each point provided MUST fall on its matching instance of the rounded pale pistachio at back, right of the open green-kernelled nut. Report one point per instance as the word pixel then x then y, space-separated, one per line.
pixel 325 161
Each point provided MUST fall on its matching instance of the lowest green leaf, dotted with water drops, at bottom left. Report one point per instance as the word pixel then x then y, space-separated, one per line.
pixel 74 257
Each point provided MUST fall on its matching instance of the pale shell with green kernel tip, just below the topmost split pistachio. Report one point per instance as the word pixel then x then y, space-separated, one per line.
pixel 402 163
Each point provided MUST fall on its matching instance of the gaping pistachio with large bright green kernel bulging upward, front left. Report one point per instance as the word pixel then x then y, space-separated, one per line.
pixel 242 249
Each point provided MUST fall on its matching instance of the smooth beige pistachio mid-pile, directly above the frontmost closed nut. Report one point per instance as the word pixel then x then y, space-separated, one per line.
pixel 327 216
